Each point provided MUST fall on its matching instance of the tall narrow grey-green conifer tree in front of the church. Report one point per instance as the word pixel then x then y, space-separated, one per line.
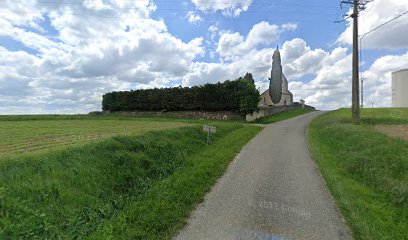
pixel 275 82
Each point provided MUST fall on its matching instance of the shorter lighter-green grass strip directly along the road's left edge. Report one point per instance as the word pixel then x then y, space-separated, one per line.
pixel 166 207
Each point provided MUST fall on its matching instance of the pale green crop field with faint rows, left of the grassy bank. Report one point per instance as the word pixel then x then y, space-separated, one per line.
pixel 26 136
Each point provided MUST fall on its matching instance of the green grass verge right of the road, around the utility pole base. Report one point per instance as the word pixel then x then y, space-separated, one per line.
pixel 366 171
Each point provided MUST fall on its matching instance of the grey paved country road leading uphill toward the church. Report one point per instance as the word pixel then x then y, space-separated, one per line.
pixel 272 190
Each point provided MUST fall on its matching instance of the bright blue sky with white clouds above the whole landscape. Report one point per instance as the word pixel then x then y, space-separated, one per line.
pixel 61 56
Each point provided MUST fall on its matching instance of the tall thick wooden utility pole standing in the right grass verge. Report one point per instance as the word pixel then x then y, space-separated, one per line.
pixel 355 98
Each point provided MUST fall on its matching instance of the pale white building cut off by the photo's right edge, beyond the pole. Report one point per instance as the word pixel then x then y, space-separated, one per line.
pixel 400 88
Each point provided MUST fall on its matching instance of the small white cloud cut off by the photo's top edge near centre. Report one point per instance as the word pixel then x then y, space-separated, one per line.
pixel 228 8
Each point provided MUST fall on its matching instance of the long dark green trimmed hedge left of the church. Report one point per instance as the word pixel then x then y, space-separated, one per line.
pixel 239 96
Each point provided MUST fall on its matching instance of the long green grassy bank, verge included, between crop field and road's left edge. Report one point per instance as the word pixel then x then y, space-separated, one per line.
pixel 131 187
